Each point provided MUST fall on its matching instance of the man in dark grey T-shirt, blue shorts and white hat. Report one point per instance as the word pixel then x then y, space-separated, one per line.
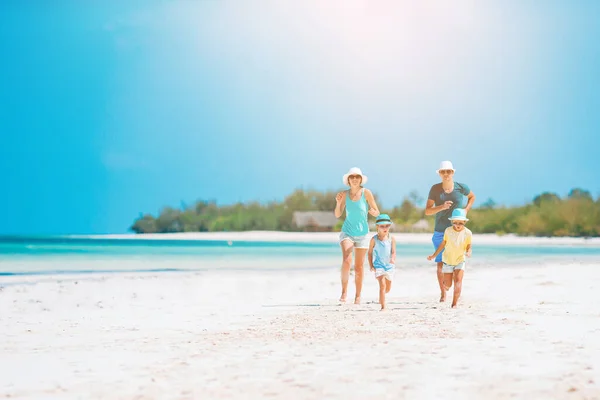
pixel 445 197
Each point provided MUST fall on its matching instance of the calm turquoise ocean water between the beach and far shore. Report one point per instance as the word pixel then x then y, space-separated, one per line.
pixel 56 255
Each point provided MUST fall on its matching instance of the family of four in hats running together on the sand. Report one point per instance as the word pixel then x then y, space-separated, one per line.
pixel 448 200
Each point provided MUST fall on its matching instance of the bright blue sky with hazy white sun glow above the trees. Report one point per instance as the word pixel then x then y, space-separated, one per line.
pixel 110 110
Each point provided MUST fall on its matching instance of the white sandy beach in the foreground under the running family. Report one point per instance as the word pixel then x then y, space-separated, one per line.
pixel 520 332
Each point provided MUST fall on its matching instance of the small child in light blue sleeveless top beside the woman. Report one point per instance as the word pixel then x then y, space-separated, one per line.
pixel 382 256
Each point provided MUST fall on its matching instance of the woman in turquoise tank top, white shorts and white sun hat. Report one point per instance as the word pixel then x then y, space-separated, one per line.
pixel 358 203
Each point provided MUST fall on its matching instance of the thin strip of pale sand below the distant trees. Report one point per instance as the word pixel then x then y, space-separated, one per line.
pixel 332 237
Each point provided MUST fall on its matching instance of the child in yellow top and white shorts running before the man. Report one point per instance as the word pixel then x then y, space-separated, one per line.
pixel 456 244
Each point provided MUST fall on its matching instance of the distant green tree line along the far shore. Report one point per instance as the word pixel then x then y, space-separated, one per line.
pixel 577 214
